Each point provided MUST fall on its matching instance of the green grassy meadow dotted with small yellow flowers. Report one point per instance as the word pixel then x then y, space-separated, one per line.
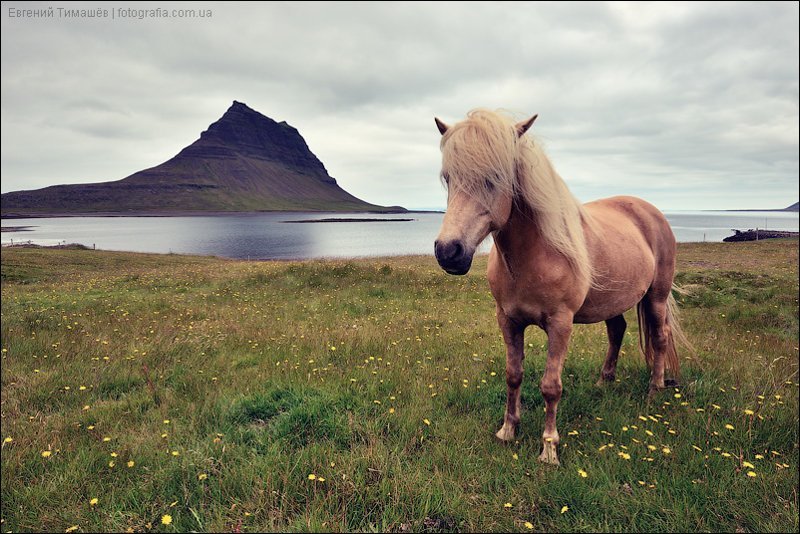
pixel 172 393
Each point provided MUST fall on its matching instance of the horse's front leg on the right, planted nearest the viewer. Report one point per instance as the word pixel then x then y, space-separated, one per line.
pixel 558 330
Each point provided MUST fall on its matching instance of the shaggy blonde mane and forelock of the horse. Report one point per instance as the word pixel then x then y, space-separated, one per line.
pixel 483 155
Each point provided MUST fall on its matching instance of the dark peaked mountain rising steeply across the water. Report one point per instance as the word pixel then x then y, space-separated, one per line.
pixel 243 162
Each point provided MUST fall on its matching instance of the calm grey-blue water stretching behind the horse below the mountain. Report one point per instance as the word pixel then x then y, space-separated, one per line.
pixel 267 236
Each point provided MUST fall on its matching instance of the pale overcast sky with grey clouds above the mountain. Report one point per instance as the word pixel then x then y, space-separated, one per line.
pixel 688 105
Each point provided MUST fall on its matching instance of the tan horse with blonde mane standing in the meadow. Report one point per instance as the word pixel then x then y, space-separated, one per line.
pixel 554 261
